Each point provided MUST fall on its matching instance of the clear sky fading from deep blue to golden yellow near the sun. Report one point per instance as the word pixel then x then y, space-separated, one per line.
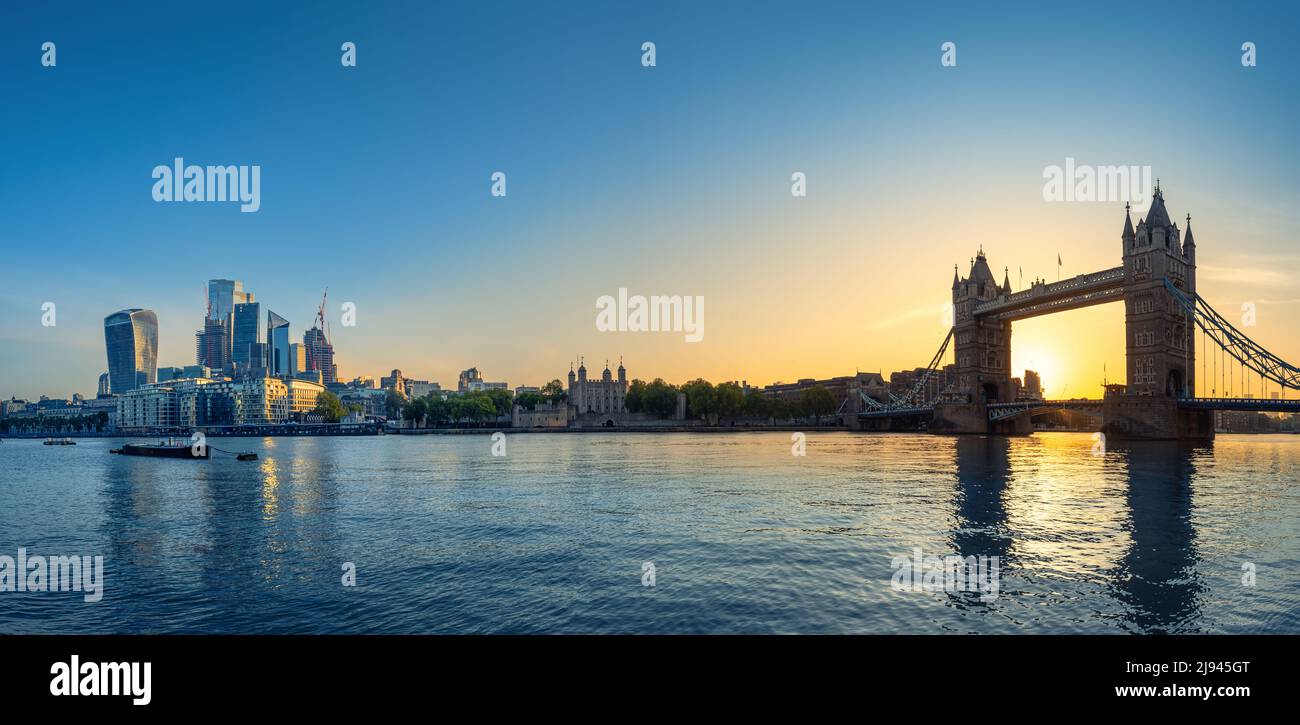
pixel 674 180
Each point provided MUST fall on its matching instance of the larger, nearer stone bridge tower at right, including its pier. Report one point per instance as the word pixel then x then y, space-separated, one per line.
pixel 1162 355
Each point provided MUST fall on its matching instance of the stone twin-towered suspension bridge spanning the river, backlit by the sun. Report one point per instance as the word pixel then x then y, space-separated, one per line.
pixel 1163 312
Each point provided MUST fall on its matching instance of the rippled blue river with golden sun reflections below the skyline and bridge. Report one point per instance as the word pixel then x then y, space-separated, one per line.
pixel 744 537
